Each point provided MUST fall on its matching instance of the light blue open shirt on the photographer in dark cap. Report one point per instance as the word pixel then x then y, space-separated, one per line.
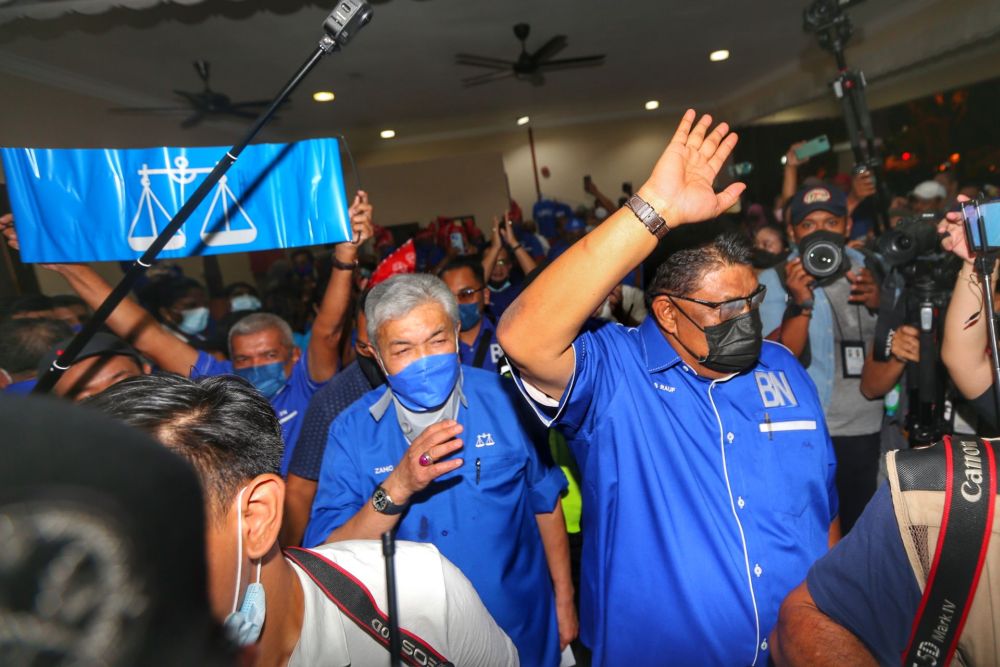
pixel 822 366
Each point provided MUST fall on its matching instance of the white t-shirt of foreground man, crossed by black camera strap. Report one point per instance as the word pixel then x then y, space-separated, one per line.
pixel 436 602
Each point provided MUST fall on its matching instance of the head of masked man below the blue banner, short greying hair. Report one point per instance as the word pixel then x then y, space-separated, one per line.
pixel 263 351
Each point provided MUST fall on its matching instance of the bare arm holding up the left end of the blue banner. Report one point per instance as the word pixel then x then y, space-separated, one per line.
pixel 129 320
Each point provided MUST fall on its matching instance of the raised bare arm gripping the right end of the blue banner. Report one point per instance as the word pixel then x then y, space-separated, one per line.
pixel 331 319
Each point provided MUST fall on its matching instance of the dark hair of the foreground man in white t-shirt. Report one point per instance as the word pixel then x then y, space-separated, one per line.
pixel 219 424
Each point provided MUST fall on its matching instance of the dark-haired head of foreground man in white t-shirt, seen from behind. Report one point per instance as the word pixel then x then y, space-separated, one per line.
pixel 229 433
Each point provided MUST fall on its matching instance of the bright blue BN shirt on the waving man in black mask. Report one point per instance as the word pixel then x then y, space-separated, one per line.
pixel 704 501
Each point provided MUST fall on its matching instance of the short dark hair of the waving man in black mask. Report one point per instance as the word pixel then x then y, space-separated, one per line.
pixel 682 271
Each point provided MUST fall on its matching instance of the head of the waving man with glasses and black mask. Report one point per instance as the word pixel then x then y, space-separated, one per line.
pixel 705 299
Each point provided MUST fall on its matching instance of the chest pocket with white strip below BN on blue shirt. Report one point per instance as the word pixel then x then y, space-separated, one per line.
pixel 793 459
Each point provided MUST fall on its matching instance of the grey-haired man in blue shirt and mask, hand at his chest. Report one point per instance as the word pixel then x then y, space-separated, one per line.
pixel 394 461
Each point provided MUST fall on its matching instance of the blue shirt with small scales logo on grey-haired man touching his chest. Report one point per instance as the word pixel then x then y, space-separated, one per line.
pixel 481 516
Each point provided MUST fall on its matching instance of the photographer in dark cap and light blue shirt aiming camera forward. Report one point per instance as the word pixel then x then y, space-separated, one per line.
pixel 821 304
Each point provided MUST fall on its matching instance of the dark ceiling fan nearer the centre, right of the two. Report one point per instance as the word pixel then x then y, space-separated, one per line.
pixel 528 66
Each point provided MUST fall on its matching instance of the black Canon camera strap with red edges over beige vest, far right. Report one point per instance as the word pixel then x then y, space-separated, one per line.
pixel 966 526
